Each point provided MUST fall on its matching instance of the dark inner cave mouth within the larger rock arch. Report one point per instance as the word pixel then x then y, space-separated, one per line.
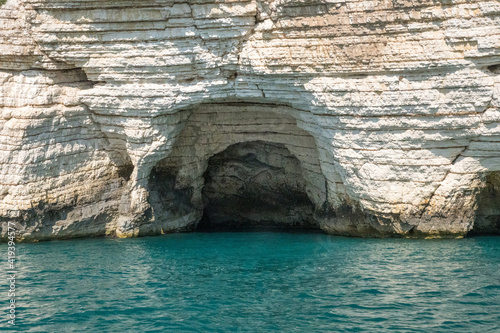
pixel 255 185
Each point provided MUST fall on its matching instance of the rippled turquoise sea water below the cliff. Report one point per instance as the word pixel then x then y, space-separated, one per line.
pixel 256 282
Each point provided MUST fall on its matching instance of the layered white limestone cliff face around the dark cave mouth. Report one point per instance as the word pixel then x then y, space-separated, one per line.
pixel 391 107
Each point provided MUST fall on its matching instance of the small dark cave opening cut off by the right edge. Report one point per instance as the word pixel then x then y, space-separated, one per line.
pixel 488 207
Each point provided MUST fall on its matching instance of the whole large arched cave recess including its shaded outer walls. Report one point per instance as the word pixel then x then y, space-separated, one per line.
pixel 238 166
